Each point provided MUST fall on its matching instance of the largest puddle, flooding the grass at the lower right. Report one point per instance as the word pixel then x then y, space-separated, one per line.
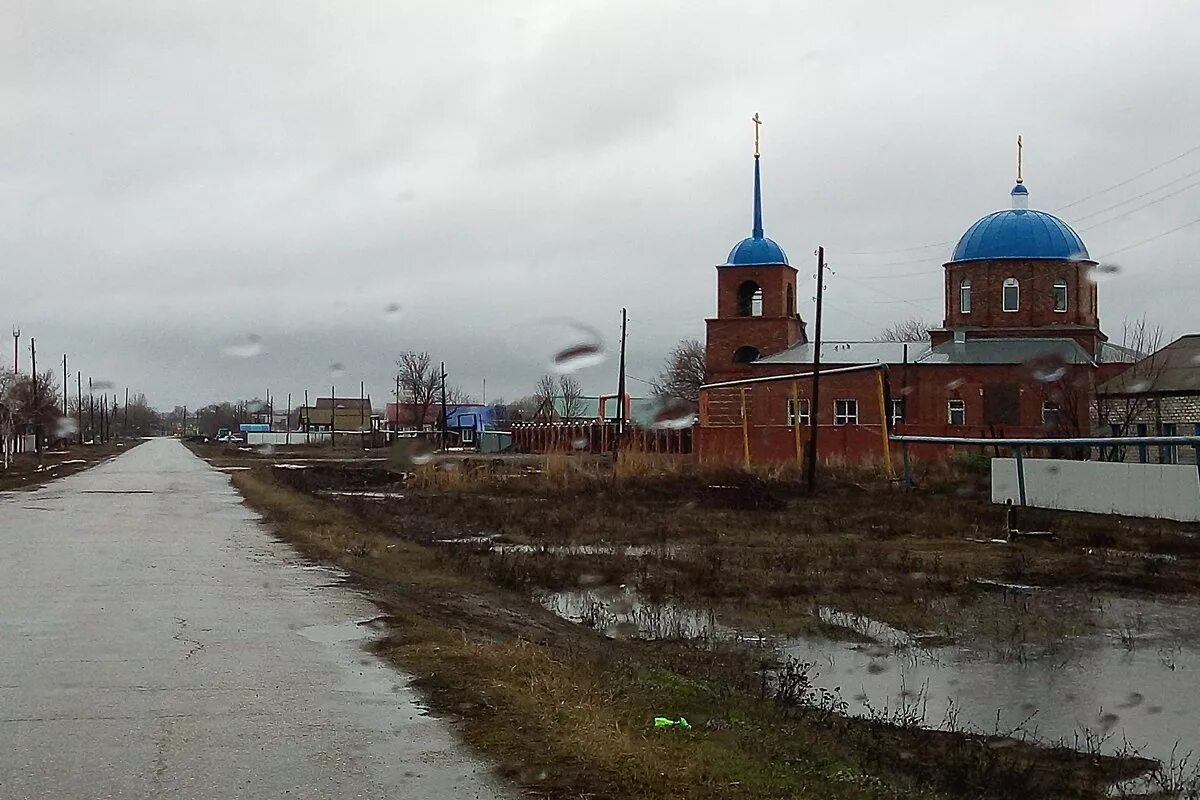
pixel 1108 691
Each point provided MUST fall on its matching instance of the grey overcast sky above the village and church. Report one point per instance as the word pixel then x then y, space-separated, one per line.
pixel 178 177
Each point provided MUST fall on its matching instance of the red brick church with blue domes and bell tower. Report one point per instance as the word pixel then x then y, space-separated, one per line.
pixel 1018 354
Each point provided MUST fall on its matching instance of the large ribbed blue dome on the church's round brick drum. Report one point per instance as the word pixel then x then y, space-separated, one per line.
pixel 1019 232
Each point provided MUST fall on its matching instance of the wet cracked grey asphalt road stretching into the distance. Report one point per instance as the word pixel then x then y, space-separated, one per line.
pixel 157 643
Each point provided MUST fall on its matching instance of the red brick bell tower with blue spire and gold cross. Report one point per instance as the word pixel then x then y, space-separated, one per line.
pixel 755 300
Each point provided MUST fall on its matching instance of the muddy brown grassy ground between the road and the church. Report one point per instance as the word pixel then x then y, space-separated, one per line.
pixel 567 711
